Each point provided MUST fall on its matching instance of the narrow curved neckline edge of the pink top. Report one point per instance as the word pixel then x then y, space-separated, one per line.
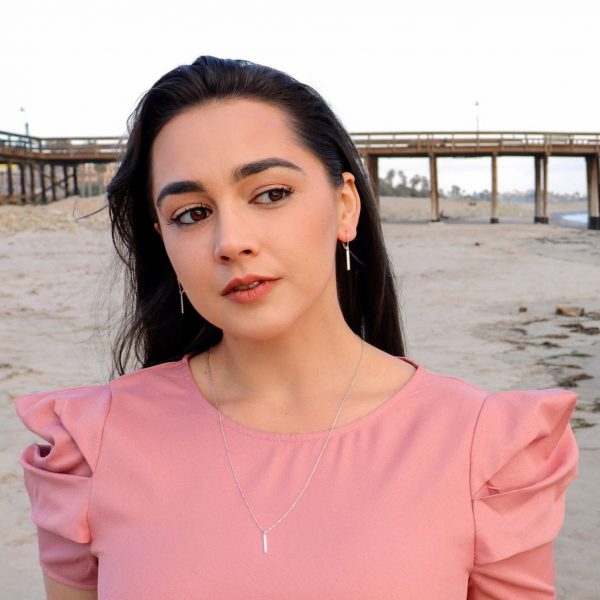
pixel 405 391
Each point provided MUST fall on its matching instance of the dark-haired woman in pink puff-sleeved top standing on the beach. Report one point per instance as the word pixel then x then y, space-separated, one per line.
pixel 277 443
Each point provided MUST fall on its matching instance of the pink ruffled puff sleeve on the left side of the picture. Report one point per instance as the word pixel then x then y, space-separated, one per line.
pixel 58 476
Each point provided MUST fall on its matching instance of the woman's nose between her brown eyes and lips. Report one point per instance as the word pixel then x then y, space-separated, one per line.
pixel 234 236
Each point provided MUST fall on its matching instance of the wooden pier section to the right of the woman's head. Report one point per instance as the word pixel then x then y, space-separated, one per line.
pixel 538 145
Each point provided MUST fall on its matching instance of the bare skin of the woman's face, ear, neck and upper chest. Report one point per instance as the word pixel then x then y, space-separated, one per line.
pixel 286 360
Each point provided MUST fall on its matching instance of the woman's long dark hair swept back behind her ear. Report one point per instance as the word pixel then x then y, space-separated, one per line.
pixel 152 329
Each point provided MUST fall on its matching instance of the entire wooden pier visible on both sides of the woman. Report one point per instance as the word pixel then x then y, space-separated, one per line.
pixel 43 169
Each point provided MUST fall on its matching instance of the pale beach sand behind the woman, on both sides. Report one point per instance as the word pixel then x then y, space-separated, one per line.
pixel 462 279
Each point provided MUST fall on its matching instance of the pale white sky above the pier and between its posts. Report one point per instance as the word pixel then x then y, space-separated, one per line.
pixel 78 67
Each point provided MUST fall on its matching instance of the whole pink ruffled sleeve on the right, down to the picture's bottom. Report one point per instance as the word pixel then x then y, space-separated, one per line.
pixel 523 457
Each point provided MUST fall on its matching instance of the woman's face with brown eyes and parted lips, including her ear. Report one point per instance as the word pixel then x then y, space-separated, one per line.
pixel 237 195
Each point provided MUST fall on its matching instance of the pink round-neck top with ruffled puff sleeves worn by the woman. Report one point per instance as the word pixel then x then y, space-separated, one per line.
pixel 443 492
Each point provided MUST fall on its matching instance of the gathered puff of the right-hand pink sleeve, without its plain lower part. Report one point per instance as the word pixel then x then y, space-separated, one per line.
pixel 523 457
